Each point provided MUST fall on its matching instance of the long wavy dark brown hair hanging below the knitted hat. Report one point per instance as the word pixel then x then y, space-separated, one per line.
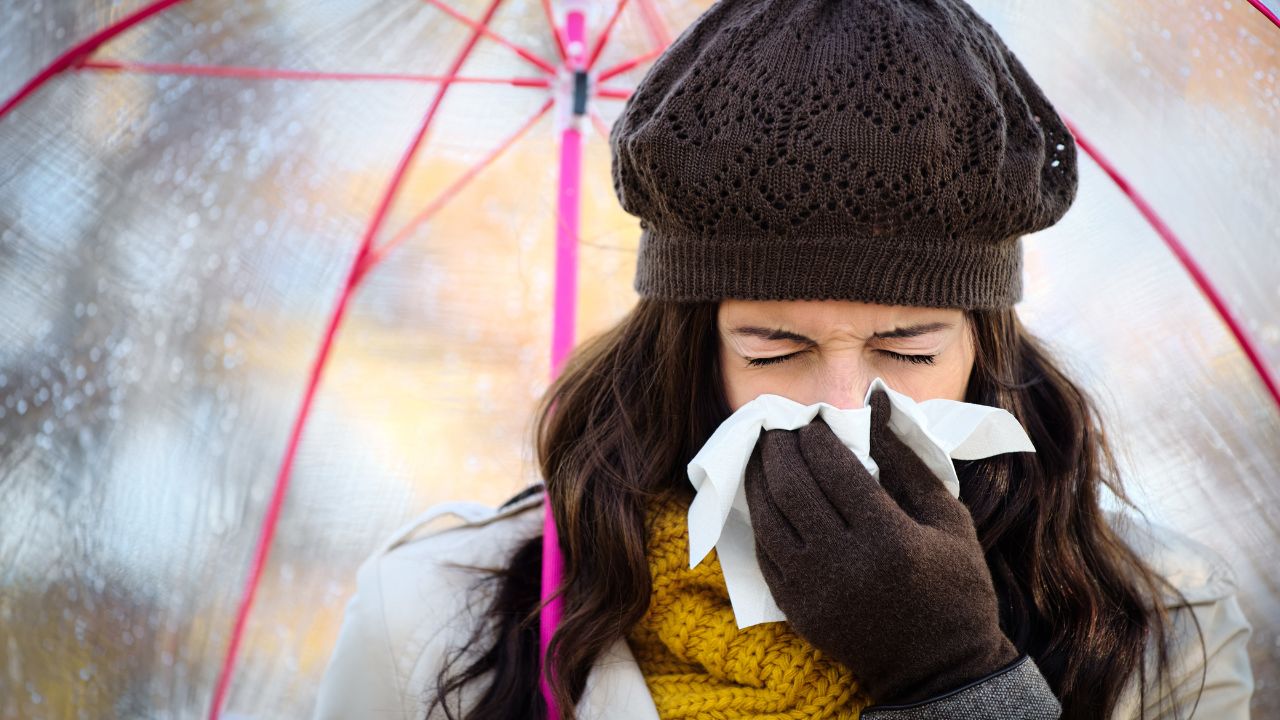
pixel 633 405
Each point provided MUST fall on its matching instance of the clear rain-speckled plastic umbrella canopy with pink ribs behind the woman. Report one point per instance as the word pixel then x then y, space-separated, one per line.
pixel 217 224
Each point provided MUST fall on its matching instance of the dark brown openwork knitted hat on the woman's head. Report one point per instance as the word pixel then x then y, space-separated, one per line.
pixel 890 152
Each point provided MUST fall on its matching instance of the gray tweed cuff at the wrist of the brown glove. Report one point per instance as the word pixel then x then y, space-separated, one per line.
pixel 1017 692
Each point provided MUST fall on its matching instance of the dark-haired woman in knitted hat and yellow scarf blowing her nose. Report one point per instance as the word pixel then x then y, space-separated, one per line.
pixel 829 193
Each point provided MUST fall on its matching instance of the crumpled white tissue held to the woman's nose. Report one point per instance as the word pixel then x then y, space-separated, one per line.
pixel 939 431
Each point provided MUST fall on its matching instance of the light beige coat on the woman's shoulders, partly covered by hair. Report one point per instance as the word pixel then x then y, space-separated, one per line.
pixel 409 609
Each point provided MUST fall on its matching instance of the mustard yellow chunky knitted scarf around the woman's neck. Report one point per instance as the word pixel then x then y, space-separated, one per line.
pixel 700 664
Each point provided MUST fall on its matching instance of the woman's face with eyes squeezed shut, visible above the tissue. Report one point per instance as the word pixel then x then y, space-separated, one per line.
pixel 830 350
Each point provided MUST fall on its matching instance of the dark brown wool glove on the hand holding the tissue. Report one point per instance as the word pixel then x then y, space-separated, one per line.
pixel 889 578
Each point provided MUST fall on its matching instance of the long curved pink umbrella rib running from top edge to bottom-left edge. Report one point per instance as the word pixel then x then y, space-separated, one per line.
pixel 282 482
